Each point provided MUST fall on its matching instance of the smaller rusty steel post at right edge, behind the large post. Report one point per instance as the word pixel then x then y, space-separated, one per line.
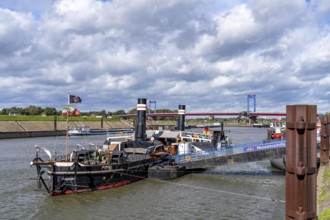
pixel 324 145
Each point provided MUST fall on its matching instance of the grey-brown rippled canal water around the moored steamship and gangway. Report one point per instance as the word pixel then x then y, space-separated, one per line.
pixel 242 191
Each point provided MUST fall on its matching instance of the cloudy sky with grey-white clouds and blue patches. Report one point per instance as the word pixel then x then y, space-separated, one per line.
pixel 206 54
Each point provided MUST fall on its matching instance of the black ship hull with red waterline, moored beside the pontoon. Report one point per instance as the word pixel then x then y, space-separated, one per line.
pixel 72 177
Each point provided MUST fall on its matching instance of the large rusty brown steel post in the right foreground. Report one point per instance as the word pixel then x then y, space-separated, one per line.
pixel 301 167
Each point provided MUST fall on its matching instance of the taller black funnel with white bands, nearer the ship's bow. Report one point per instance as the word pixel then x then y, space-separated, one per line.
pixel 140 127
